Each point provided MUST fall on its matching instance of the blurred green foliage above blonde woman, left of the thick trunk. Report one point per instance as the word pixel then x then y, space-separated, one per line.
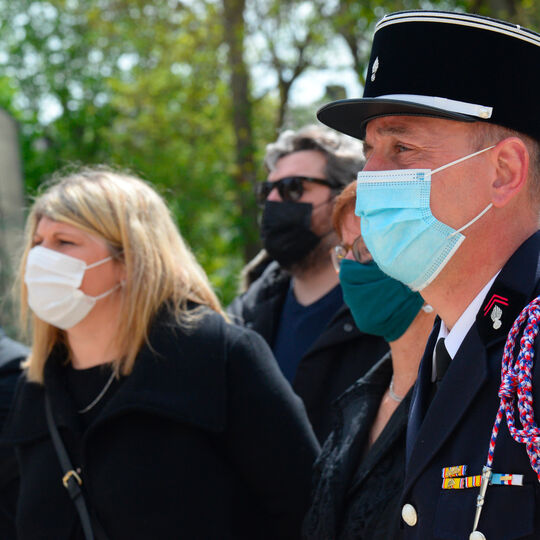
pixel 139 85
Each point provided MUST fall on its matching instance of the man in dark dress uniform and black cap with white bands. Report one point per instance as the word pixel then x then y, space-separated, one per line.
pixel 449 204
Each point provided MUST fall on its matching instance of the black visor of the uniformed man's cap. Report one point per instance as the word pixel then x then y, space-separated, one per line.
pixel 350 116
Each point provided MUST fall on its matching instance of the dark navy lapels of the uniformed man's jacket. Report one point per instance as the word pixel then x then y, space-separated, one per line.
pixel 464 378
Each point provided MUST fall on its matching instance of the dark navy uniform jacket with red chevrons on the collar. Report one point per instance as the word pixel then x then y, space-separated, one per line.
pixel 456 428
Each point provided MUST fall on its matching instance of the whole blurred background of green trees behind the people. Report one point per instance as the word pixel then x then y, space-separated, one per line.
pixel 184 93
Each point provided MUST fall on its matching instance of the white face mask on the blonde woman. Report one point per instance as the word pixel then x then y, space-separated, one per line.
pixel 53 280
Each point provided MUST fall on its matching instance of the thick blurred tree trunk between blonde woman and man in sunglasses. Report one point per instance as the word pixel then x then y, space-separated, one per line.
pixel 242 116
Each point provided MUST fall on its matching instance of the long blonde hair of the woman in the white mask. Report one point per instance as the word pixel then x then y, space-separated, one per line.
pixel 140 232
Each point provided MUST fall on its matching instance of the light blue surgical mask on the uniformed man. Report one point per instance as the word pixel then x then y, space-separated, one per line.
pixel 404 238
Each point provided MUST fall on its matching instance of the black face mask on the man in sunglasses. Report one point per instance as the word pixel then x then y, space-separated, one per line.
pixel 286 231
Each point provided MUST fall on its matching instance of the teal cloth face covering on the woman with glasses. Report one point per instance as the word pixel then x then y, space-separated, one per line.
pixel 380 305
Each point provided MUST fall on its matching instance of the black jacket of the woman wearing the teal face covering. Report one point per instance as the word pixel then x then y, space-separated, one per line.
pixel 357 491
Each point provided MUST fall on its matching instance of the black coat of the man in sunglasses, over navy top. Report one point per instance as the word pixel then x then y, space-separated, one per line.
pixel 337 358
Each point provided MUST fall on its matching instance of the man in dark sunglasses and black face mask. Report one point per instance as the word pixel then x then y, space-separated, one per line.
pixel 297 304
